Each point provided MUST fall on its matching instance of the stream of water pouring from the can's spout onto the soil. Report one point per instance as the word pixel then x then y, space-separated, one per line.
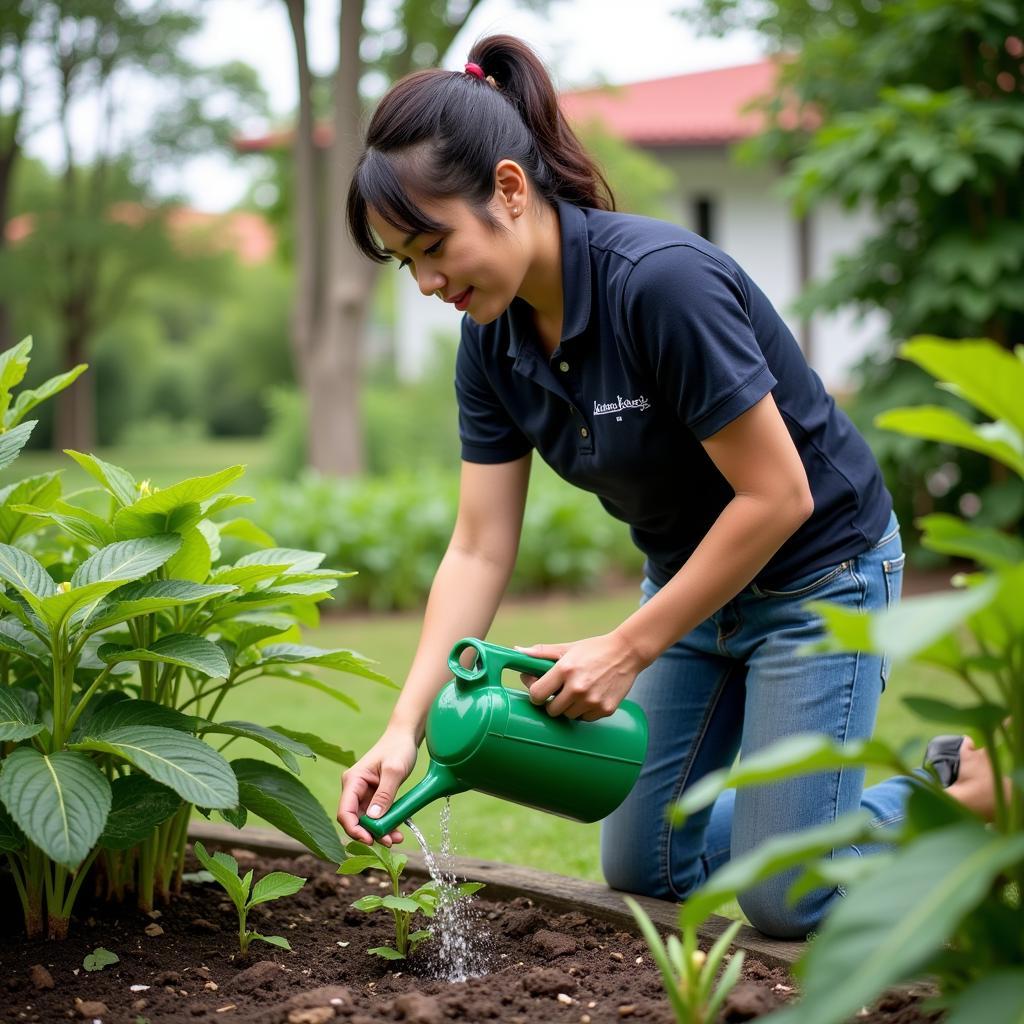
pixel 457 948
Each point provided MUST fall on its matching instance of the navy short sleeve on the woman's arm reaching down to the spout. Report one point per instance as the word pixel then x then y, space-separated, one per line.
pixel 486 430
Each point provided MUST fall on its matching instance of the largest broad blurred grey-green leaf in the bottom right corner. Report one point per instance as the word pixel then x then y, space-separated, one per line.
pixel 887 931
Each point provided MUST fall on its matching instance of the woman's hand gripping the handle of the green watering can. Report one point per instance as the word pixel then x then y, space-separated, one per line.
pixel 589 679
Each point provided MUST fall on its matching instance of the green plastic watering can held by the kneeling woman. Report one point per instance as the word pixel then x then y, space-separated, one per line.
pixel 483 736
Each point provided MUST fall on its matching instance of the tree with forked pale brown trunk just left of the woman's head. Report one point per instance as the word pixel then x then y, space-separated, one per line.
pixel 334 282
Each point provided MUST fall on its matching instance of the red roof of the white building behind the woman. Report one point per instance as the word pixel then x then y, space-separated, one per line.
pixel 700 109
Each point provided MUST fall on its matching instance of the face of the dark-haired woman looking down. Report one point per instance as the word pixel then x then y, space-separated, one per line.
pixel 476 267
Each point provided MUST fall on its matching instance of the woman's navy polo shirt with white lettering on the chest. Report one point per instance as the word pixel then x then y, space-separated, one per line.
pixel 665 342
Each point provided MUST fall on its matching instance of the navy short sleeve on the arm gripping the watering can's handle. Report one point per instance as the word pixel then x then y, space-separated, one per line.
pixel 688 316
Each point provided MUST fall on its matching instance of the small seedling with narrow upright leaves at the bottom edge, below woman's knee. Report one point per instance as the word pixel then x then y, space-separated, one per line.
pixel 689 973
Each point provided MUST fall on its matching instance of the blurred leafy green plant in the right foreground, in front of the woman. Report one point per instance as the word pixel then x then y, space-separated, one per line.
pixel 945 899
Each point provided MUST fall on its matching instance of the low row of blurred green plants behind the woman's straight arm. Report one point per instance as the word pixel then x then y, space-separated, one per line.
pixel 395 530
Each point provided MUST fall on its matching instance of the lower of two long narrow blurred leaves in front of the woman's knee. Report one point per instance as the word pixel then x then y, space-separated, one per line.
pixel 773 858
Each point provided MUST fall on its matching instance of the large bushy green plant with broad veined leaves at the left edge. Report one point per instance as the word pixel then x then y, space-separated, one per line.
pixel 122 631
